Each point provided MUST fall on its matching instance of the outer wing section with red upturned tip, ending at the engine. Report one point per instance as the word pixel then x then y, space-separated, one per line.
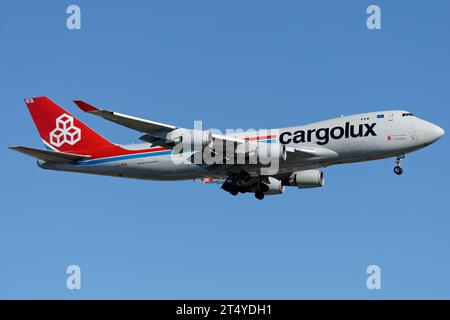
pixel 131 122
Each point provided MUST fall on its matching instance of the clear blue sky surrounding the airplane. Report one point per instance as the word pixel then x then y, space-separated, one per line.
pixel 232 64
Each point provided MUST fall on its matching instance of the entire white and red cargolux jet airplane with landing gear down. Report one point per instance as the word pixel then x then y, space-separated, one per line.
pixel 299 152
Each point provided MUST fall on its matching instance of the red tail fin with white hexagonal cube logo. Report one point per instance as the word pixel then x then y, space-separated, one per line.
pixel 60 130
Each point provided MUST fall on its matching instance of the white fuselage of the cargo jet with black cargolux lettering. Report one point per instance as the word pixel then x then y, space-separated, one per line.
pixel 362 137
